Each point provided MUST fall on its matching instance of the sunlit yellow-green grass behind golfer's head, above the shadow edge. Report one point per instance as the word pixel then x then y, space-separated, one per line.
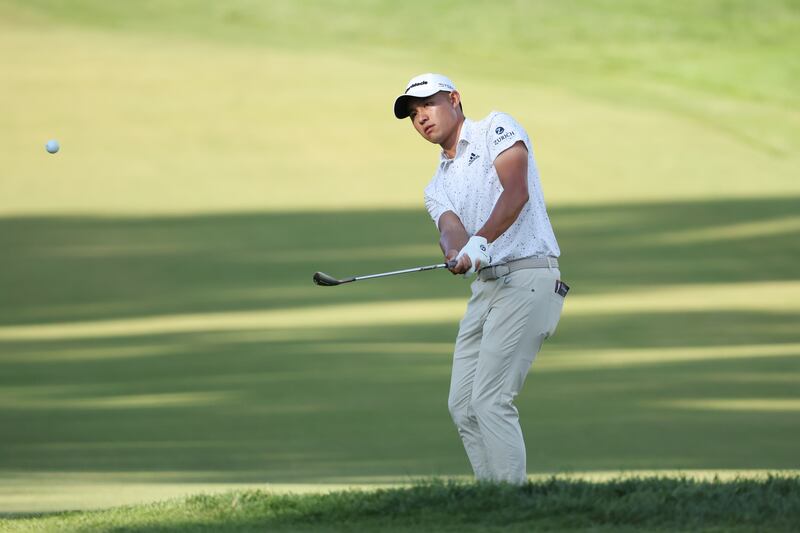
pixel 194 107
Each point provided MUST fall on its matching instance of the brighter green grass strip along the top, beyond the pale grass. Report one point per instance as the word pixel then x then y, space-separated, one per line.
pixel 660 39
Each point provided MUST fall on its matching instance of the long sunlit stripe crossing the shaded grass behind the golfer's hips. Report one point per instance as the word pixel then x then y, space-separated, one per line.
pixel 691 297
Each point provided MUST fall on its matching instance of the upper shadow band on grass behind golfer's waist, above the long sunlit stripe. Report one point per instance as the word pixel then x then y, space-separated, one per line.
pixel 80 268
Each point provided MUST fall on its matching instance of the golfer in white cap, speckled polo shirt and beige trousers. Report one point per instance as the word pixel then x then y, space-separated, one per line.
pixel 486 200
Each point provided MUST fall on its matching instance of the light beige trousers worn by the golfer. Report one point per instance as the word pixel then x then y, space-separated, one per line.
pixel 505 324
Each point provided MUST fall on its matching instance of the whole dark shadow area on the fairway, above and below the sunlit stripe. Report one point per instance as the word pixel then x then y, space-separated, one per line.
pixel 312 403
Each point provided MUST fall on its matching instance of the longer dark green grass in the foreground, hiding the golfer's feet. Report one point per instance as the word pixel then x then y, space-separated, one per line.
pixel 653 504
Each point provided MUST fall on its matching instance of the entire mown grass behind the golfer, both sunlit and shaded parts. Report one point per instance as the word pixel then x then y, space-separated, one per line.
pixel 159 329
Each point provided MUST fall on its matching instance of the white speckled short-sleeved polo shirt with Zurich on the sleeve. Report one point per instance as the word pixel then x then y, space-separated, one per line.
pixel 468 186
